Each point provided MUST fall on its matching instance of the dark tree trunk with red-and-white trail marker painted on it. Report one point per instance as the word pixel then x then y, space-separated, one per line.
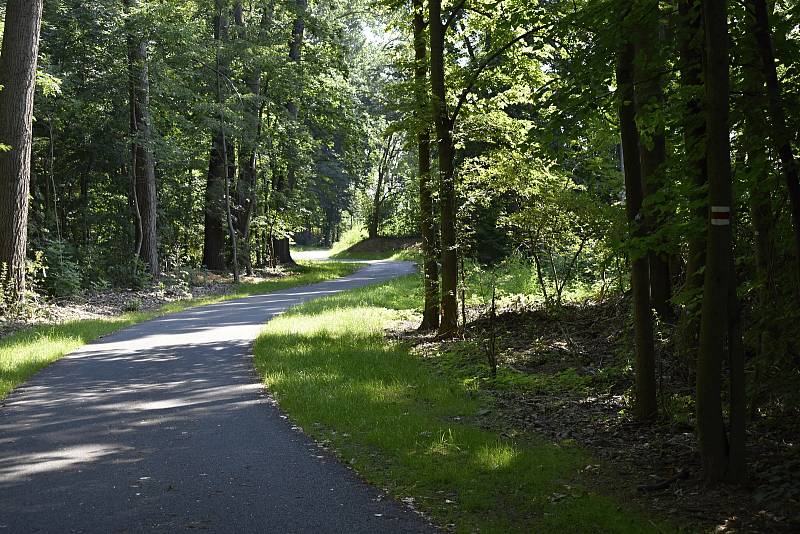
pixel 718 293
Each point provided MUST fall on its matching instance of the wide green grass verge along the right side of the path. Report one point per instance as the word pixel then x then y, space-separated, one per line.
pixel 408 428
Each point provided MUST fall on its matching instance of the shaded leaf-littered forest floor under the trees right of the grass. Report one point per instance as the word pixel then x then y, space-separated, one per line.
pixel 565 374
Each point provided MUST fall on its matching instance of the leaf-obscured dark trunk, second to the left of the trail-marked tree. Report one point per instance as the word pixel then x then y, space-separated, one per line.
pixel 649 97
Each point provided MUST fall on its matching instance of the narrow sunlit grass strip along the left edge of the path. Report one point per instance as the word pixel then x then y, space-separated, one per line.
pixel 24 353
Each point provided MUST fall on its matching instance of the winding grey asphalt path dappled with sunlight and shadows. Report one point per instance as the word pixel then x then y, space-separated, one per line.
pixel 164 427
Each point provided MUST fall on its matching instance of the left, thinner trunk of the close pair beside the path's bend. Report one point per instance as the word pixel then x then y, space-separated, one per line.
pixel 430 267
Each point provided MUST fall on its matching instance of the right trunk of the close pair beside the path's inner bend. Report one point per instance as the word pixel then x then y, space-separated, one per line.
pixel 449 318
